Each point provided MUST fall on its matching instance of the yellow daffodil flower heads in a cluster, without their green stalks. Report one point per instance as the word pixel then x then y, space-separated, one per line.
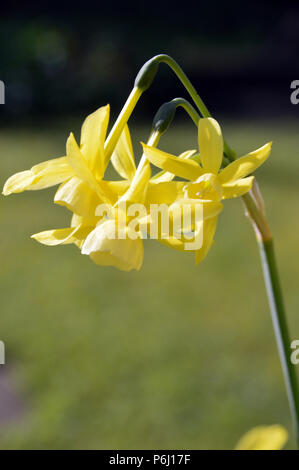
pixel 83 188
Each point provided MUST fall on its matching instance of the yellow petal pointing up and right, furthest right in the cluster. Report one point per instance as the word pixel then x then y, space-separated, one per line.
pixel 245 165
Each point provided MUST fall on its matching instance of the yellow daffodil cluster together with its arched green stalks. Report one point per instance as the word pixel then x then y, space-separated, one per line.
pixel 199 179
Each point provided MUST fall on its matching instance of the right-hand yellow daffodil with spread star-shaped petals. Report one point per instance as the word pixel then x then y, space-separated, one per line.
pixel 207 180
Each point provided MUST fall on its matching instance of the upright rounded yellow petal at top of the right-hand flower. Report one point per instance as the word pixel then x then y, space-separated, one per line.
pixel 210 144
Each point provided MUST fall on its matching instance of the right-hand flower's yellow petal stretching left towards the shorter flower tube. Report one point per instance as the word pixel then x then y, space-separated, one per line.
pixel 185 168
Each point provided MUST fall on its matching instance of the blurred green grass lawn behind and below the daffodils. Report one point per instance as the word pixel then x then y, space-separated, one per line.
pixel 173 356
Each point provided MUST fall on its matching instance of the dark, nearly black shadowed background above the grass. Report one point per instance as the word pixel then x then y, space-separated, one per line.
pixel 60 60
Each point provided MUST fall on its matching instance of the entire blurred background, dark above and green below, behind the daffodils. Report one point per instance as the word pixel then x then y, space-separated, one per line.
pixel 172 356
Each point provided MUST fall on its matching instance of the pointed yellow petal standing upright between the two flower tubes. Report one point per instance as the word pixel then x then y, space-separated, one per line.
pixel 123 157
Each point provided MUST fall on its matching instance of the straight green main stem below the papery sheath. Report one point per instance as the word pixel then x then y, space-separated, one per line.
pixel 280 327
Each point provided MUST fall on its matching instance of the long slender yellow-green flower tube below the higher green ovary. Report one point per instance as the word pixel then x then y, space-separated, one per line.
pixel 121 121
